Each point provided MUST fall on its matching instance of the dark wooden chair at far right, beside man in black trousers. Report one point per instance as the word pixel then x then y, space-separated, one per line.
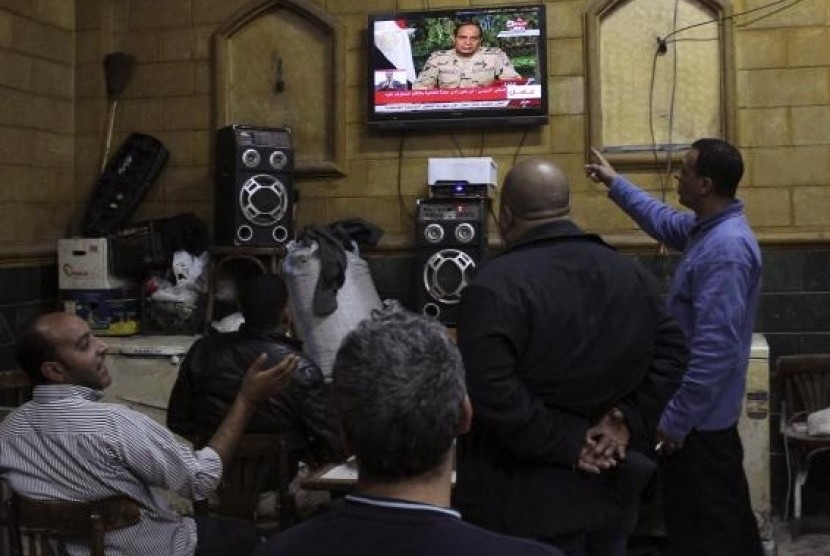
pixel 806 384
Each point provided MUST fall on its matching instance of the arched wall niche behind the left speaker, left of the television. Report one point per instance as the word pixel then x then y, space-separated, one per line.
pixel 280 63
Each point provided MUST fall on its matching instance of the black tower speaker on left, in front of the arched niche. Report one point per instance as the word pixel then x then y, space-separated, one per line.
pixel 254 196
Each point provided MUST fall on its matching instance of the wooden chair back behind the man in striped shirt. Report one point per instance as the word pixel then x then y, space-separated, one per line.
pixel 43 522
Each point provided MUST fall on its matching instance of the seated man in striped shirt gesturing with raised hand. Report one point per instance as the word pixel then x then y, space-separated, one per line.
pixel 65 445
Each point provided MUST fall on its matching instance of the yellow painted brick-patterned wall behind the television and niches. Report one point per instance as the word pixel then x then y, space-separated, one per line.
pixel 53 114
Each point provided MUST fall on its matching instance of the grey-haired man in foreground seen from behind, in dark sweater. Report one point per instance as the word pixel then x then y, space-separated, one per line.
pixel 399 386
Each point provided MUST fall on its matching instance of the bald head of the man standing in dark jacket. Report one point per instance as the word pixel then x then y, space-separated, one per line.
pixel 536 189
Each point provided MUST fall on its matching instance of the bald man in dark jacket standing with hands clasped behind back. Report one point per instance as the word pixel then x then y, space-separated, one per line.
pixel 569 361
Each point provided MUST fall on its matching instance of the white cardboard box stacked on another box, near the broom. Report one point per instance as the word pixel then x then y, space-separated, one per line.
pixel 83 264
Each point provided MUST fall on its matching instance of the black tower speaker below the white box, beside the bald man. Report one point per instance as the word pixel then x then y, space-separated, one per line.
pixel 450 243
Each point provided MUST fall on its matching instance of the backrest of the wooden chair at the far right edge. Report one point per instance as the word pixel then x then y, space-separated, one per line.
pixel 806 381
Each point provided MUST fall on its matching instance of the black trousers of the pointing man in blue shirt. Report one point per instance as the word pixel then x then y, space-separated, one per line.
pixel 706 497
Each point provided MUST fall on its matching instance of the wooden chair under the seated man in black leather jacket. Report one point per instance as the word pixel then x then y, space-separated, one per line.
pixel 262 462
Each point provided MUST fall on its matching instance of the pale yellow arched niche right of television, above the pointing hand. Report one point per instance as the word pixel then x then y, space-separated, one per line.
pixel 647 104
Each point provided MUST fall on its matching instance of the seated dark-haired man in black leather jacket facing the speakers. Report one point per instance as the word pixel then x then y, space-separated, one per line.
pixel 212 372
